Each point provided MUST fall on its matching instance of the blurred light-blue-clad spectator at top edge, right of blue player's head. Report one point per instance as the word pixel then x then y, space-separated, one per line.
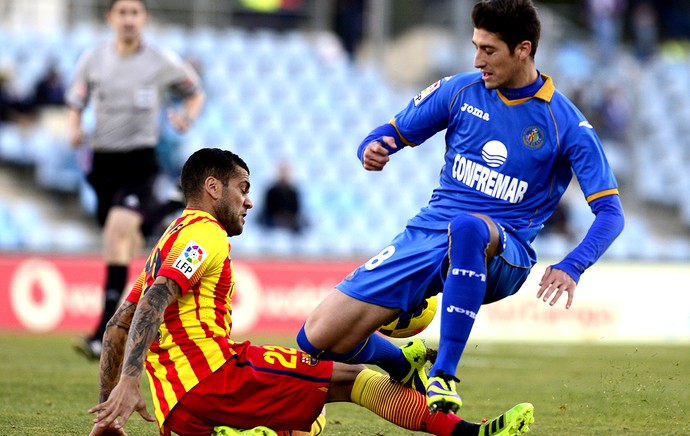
pixel 605 19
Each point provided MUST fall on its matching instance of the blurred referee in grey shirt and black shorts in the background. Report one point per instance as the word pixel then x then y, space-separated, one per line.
pixel 125 79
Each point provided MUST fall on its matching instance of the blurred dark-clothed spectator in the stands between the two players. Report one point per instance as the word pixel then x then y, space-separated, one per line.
pixel 282 208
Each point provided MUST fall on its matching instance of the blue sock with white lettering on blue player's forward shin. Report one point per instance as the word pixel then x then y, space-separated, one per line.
pixel 464 290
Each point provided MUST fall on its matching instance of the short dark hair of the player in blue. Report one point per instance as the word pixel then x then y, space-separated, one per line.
pixel 514 21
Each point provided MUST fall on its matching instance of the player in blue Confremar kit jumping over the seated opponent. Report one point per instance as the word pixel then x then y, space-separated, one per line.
pixel 513 143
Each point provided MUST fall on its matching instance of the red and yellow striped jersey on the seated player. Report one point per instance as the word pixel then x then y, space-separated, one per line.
pixel 194 337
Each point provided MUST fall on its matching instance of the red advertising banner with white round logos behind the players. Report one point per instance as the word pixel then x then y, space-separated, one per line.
pixel 55 293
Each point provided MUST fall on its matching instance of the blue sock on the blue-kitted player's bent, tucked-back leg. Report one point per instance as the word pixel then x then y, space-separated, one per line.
pixel 375 350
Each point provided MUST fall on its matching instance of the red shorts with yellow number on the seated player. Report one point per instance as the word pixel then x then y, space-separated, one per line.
pixel 278 387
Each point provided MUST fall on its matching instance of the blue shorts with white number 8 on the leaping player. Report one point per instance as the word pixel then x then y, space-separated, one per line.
pixel 415 266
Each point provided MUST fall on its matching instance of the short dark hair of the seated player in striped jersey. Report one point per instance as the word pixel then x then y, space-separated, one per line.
pixel 208 162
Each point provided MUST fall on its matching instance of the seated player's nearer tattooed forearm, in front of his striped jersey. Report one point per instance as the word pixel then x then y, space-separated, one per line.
pixel 146 322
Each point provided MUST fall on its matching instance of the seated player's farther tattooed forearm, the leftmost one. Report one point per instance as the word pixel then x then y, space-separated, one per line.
pixel 113 347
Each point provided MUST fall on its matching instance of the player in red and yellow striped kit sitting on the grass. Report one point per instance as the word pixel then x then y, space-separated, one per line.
pixel 176 323
